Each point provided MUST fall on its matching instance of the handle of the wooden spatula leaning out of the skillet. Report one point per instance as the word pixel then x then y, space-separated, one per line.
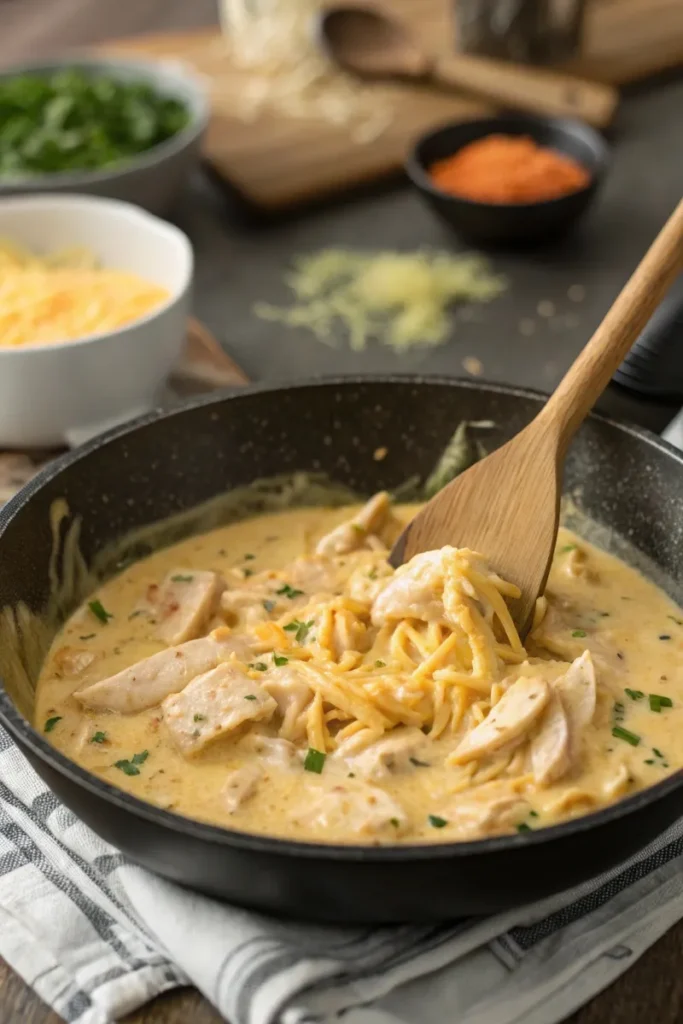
pixel 596 364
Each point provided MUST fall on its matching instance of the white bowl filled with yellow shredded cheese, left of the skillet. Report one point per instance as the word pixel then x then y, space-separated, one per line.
pixel 95 296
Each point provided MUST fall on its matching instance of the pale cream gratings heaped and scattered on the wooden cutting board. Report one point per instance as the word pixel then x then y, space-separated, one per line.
pixel 273 44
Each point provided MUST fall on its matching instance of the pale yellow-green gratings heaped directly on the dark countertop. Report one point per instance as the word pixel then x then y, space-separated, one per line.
pixel 399 300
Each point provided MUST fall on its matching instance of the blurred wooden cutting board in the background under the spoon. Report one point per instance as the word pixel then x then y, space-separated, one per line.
pixel 276 162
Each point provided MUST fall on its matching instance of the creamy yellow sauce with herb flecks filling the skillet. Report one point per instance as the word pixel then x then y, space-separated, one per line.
pixel 632 630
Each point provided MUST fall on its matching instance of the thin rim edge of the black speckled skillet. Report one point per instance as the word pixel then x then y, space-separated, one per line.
pixel 22 731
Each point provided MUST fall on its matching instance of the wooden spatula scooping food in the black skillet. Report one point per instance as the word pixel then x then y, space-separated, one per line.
pixel 507 506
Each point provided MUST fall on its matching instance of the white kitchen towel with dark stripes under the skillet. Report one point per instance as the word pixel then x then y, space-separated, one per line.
pixel 96 937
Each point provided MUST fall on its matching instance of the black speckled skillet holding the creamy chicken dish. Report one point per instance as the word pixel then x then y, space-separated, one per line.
pixel 166 463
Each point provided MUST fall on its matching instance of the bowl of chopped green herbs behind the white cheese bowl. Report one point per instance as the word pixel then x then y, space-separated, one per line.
pixel 122 130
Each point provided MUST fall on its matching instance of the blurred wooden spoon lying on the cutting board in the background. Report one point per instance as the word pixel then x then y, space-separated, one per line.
pixel 372 45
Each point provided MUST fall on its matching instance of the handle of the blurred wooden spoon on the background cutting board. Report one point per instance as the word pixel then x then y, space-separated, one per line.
pixel 530 90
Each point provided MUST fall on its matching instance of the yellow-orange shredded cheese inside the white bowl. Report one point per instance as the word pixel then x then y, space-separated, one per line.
pixel 66 296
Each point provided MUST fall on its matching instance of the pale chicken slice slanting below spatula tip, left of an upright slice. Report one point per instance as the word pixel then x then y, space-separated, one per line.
pixel 515 714
